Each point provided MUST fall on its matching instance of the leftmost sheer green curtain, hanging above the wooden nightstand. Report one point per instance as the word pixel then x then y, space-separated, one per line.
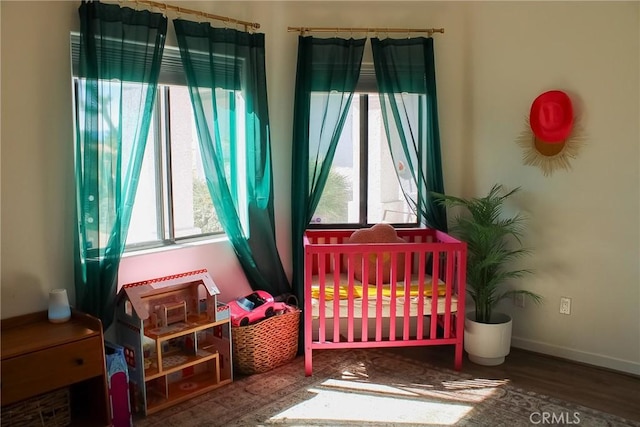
pixel 119 64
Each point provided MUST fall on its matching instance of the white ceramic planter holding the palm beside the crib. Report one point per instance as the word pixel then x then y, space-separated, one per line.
pixel 487 343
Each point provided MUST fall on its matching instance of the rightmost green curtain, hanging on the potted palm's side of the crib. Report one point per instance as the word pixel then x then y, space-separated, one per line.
pixel 405 73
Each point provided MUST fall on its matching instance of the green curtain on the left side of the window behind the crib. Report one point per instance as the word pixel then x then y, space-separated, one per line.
pixel 327 75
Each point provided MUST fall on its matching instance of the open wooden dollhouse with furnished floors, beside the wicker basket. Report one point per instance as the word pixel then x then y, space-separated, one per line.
pixel 176 339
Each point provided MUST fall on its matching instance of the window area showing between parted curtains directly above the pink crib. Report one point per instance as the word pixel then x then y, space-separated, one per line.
pixel 362 187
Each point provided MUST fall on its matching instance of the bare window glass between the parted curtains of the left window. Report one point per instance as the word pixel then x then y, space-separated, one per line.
pixel 173 199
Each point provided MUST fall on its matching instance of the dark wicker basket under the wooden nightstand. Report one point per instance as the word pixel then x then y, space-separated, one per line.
pixel 49 409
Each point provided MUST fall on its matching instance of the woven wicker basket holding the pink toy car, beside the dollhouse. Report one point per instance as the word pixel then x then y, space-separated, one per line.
pixel 266 344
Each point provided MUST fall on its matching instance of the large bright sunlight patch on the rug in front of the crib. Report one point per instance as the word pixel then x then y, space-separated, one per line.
pixel 369 407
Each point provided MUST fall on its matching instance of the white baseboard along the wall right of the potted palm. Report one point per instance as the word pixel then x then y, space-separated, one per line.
pixel 600 360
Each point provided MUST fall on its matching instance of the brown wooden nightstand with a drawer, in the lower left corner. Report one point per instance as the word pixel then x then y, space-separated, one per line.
pixel 39 357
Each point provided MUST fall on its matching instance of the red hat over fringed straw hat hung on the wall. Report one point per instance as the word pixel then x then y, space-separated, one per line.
pixel 552 137
